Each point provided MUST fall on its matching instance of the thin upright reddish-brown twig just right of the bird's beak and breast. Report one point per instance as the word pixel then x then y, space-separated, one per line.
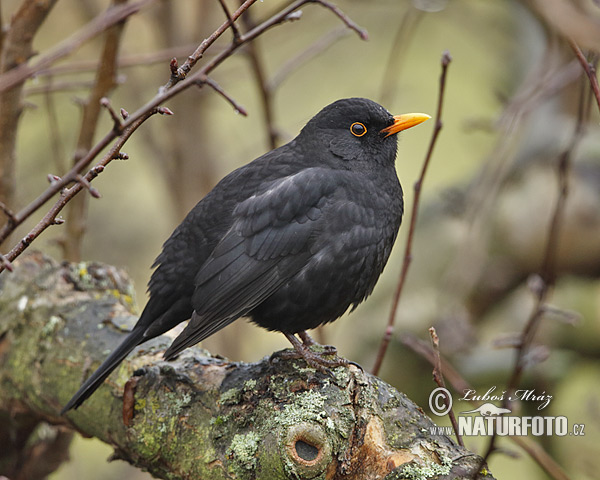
pixel 446 59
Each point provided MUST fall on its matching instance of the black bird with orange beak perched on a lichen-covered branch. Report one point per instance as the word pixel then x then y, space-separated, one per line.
pixel 291 240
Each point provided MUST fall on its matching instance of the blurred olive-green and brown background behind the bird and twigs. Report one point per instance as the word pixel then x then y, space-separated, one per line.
pixel 511 106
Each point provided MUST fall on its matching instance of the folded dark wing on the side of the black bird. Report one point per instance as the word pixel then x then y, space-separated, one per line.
pixel 268 242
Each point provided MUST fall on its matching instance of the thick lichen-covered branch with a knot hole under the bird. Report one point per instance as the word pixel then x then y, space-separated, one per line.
pixel 199 417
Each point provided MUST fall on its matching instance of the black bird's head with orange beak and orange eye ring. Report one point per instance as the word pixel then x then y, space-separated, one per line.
pixel 358 129
